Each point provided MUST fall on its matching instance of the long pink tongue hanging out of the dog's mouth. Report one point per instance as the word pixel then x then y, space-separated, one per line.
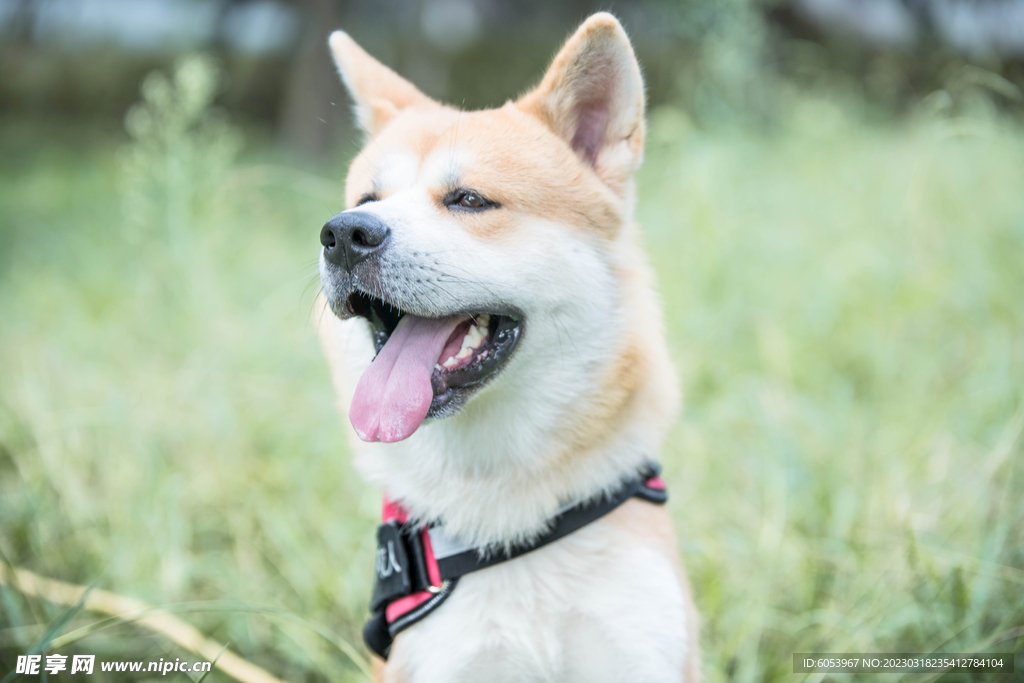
pixel 394 396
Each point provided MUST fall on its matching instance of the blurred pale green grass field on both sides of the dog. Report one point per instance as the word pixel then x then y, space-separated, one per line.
pixel 846 309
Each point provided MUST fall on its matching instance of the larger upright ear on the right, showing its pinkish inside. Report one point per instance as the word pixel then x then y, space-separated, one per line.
pixel 592 98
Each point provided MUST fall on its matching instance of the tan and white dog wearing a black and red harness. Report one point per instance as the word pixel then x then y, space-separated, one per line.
pixel 498 346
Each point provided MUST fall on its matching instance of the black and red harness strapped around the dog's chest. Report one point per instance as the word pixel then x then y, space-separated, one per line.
pixel 418 568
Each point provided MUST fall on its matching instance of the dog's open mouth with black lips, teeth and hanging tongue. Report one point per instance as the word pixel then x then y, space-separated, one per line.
pixel 425 367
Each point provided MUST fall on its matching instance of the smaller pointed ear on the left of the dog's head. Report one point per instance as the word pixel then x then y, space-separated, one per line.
pixel 377 92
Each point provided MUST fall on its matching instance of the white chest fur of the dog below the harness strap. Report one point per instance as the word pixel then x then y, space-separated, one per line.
pixel 602 605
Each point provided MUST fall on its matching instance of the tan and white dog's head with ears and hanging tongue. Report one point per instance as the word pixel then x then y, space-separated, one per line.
pixel 489 251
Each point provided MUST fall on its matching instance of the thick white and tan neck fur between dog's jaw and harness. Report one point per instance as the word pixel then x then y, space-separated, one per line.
pixel 500 471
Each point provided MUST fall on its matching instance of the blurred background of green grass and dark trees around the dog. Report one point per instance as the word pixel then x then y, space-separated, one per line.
pixel 832 199
